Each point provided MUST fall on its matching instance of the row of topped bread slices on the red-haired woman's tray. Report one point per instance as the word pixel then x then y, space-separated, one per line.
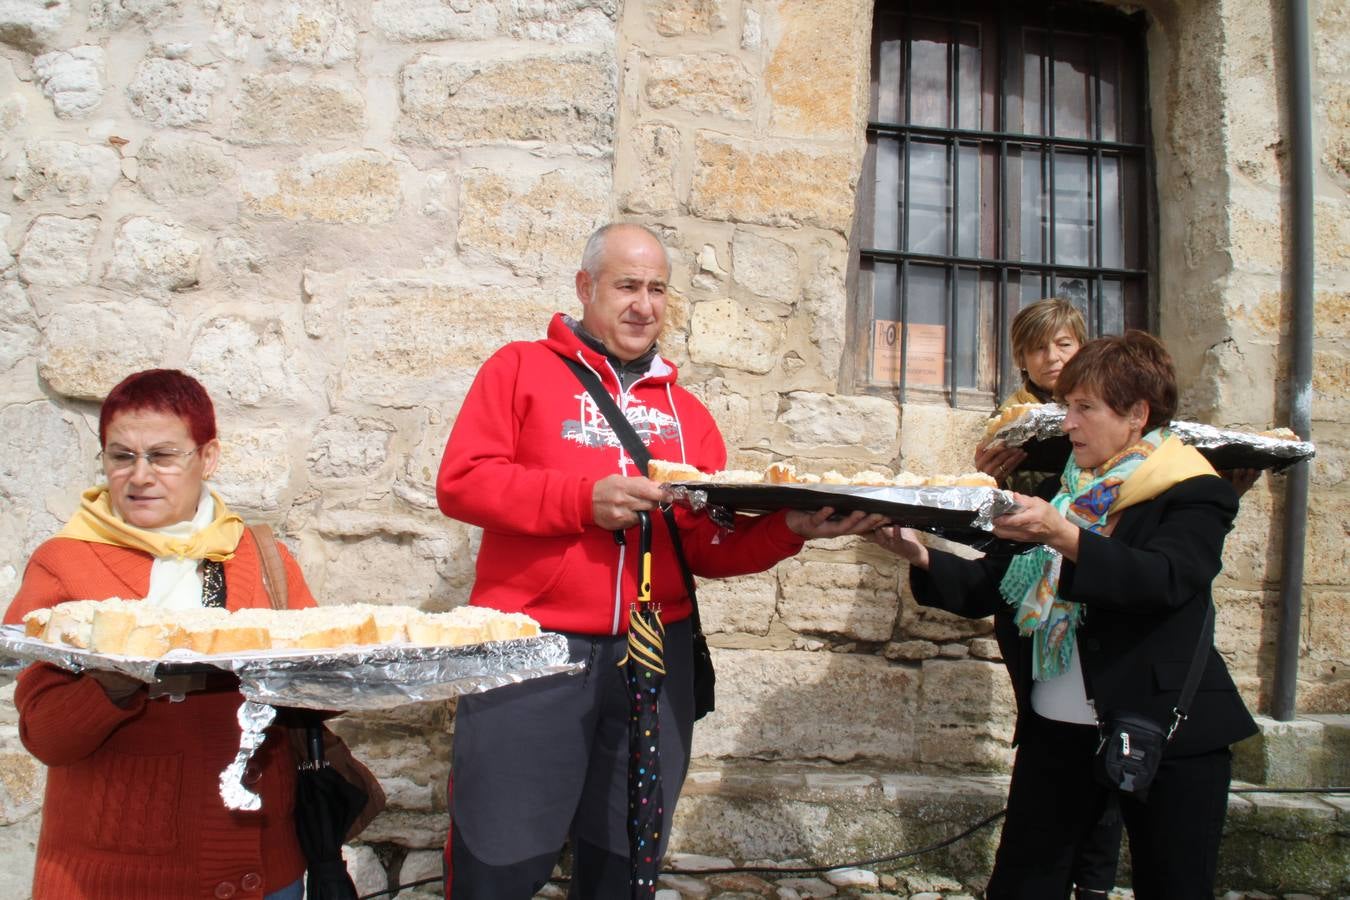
pixel 132 628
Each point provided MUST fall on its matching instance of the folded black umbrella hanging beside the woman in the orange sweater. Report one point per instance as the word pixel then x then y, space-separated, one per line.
pixel 326 806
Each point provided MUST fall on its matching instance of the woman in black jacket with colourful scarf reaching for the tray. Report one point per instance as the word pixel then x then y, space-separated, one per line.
pixel 1104 616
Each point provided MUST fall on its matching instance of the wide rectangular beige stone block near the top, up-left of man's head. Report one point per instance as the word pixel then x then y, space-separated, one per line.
pixel 566 98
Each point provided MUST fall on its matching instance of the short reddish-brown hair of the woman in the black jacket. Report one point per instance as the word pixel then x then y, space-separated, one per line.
pixel 1121 370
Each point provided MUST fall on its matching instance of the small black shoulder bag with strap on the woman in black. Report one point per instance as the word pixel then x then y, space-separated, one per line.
pixel 1132 744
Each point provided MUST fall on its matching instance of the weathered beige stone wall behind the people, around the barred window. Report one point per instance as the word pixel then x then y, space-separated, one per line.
pixel 333 211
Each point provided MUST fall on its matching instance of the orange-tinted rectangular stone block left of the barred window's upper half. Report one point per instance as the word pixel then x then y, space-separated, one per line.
pixel 770 184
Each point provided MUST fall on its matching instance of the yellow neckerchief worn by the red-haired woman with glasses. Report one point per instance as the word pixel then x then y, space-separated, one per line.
pixel 99 523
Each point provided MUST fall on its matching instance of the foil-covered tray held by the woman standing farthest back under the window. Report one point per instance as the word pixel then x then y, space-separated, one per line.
pixel 1040 434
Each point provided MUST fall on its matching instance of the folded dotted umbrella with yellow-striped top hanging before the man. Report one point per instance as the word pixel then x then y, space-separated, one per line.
pixel 646 667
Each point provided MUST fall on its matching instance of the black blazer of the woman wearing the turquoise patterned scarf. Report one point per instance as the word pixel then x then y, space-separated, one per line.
pixel 1145 592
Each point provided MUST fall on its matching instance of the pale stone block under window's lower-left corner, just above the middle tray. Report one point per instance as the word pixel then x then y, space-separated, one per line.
pixel 823 424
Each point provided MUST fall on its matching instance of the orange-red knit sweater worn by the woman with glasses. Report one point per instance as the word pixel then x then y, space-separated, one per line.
pixel 133 809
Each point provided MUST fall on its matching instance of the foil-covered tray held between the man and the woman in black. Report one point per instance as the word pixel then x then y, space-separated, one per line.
pixel 956 513
